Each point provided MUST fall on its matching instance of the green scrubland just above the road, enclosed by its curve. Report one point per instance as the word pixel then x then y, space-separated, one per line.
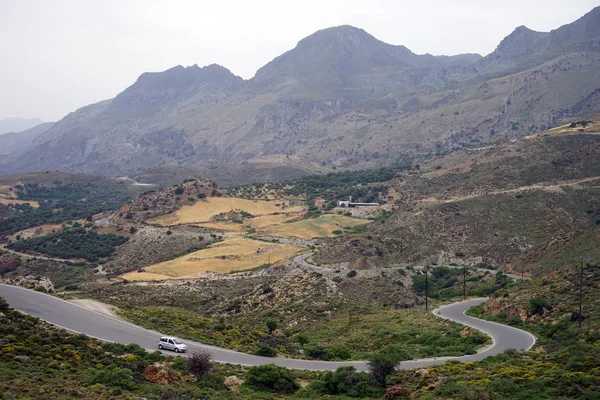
pixel 368 315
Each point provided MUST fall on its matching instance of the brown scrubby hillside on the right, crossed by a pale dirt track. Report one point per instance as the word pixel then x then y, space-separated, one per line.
pixel 530 204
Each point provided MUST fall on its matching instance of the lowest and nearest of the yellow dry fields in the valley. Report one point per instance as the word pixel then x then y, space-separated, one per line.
pixel 232 254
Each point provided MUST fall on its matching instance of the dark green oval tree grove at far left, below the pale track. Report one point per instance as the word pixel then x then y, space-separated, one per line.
pixel 76 242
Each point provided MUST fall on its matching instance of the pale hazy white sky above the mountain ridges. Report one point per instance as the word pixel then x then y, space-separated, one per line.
pixel 59 55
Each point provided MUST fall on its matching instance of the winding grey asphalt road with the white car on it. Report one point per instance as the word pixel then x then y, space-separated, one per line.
pixel 78 319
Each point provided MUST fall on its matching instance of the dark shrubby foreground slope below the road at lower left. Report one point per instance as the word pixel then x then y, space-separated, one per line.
pixel 38 361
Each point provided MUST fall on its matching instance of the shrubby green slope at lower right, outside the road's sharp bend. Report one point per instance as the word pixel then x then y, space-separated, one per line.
pixel 563 365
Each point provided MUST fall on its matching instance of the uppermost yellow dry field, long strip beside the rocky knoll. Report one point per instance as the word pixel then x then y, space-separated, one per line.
pixel 203 211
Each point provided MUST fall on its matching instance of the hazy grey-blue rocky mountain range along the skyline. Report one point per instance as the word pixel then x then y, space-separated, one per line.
pixel 339 99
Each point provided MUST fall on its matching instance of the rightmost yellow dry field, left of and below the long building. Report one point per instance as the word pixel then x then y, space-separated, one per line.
pixel 322 226
